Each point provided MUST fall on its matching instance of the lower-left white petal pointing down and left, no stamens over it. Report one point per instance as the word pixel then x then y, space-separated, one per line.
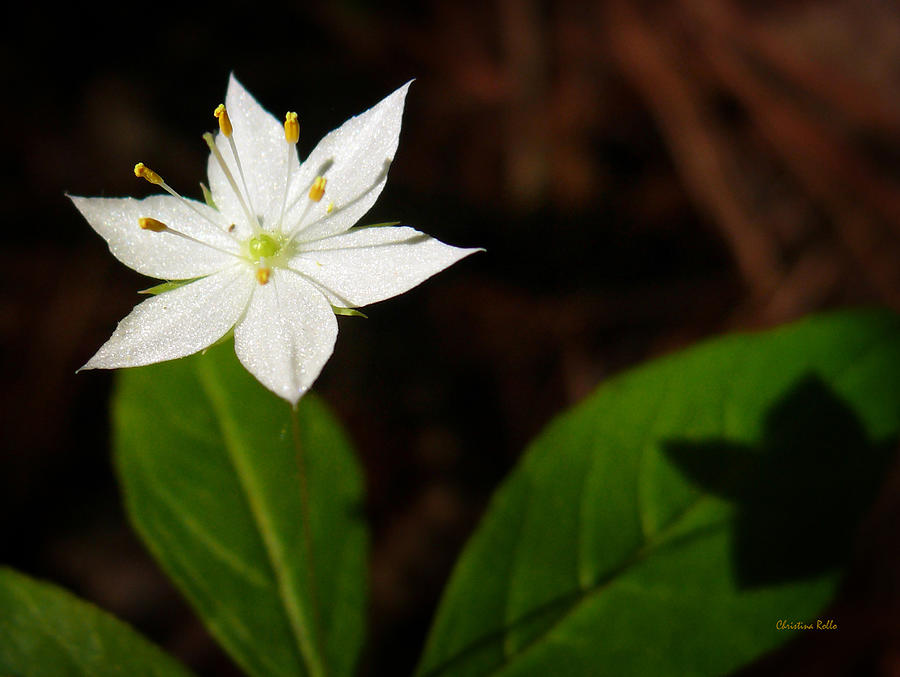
pixel 179 322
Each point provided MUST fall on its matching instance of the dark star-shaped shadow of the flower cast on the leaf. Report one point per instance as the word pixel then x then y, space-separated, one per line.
pixel 801 492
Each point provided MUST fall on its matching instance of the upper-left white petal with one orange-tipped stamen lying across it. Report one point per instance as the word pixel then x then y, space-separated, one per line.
pixel 161 255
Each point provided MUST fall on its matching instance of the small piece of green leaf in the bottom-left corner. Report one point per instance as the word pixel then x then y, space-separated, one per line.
pixel 45 631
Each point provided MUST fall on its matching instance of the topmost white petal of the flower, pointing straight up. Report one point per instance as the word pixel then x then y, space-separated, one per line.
pixel 259 138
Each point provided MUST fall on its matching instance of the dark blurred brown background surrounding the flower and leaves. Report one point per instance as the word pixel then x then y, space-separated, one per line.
pixel 642 175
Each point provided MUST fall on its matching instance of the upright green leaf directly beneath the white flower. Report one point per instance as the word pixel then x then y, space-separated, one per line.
pixel 210 467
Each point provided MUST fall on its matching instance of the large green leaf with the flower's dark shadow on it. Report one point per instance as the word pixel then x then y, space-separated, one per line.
pixel 668 522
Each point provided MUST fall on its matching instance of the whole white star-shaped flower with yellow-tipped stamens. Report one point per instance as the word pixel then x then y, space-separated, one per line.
pixel 276 256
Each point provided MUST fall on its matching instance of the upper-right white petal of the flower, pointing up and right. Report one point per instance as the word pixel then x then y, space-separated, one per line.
pixel 354 159
